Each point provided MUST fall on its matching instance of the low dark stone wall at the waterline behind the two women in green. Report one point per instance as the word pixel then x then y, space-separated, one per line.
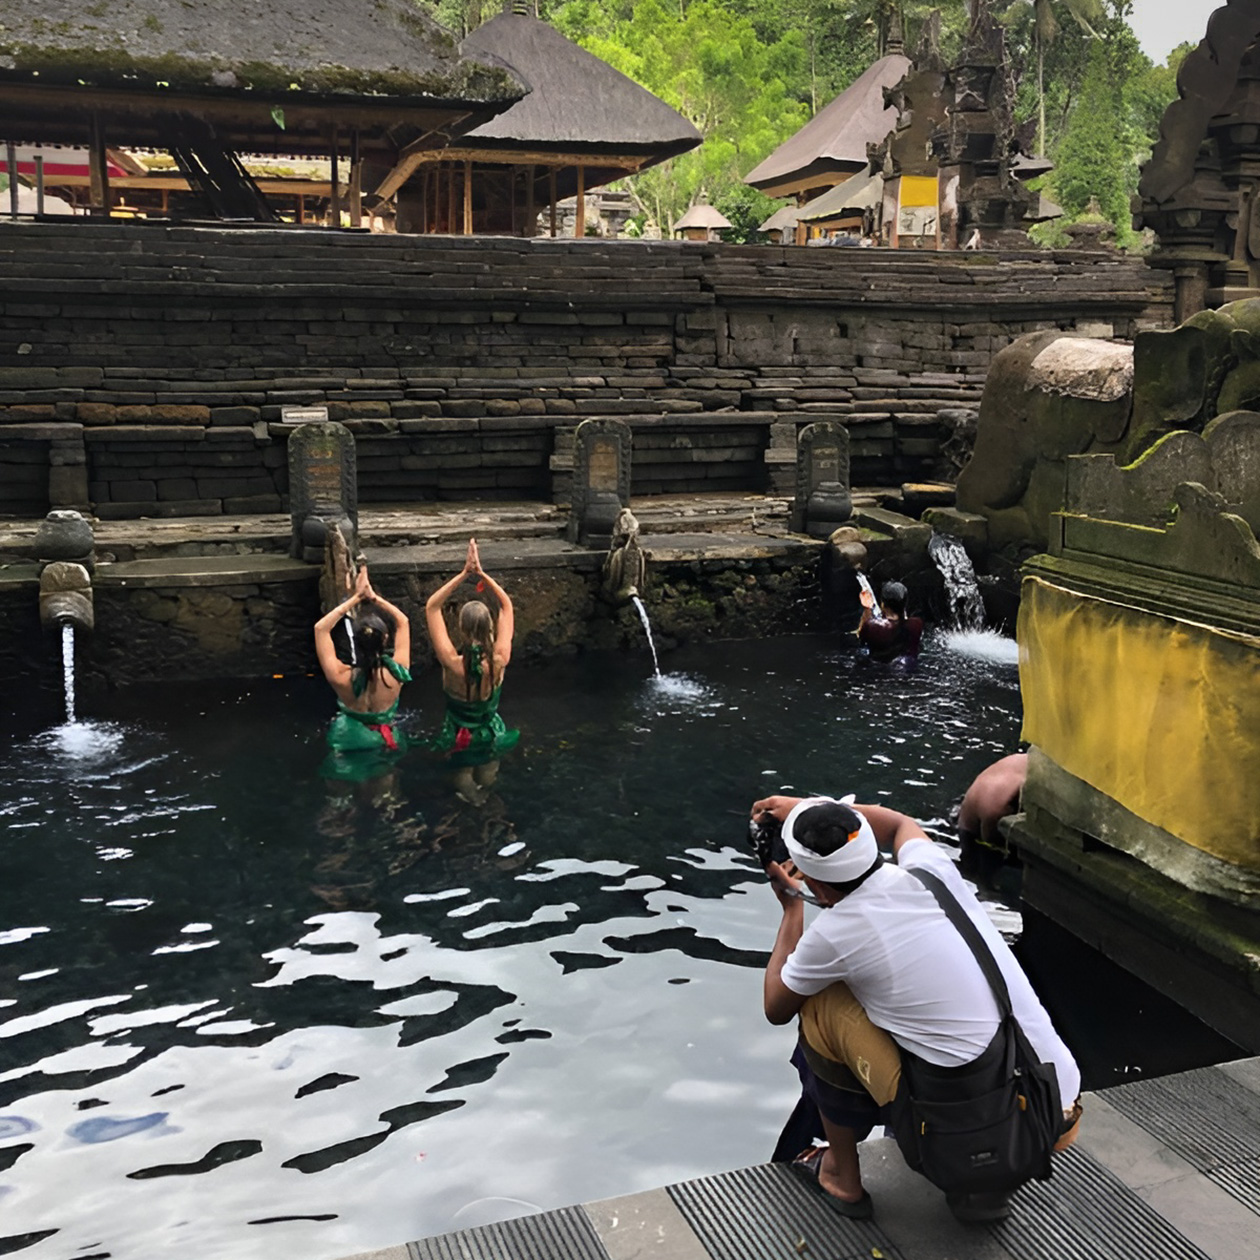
pixel 253 618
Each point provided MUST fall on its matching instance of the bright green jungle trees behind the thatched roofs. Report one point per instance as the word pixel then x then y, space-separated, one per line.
pixel 752 72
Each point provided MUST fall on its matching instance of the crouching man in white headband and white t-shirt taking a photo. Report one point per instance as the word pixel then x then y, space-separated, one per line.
pixel 908 1000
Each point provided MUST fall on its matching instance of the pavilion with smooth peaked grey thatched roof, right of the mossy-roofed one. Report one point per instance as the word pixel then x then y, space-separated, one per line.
pixel 583 125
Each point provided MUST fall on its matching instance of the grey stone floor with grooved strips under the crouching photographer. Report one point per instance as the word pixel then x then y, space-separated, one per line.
pixel 1165 1170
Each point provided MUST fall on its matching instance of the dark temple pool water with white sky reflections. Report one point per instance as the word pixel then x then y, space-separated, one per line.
pixel 244 1017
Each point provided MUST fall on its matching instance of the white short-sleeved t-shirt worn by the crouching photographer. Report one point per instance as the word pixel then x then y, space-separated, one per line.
pixel 913 972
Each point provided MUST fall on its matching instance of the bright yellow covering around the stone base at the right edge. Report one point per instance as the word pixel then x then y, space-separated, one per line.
pixel 1160 714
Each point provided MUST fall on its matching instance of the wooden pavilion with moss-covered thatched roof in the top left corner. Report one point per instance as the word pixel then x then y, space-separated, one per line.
pixel 369 84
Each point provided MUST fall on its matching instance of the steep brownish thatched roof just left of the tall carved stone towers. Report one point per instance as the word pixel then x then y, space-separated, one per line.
pixel 833 146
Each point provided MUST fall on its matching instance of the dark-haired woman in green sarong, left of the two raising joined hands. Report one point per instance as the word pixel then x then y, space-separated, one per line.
pixel 369 687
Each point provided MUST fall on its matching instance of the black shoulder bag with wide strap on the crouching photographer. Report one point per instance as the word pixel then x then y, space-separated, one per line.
pixel 991 1125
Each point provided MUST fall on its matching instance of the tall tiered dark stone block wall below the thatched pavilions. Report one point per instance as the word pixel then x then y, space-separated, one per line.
pixel 144 369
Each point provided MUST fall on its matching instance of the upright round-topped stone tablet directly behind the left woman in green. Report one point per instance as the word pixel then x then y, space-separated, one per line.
pixel 323 488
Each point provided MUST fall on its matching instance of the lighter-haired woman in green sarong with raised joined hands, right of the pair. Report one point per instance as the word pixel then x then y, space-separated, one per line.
pixel 473 735
